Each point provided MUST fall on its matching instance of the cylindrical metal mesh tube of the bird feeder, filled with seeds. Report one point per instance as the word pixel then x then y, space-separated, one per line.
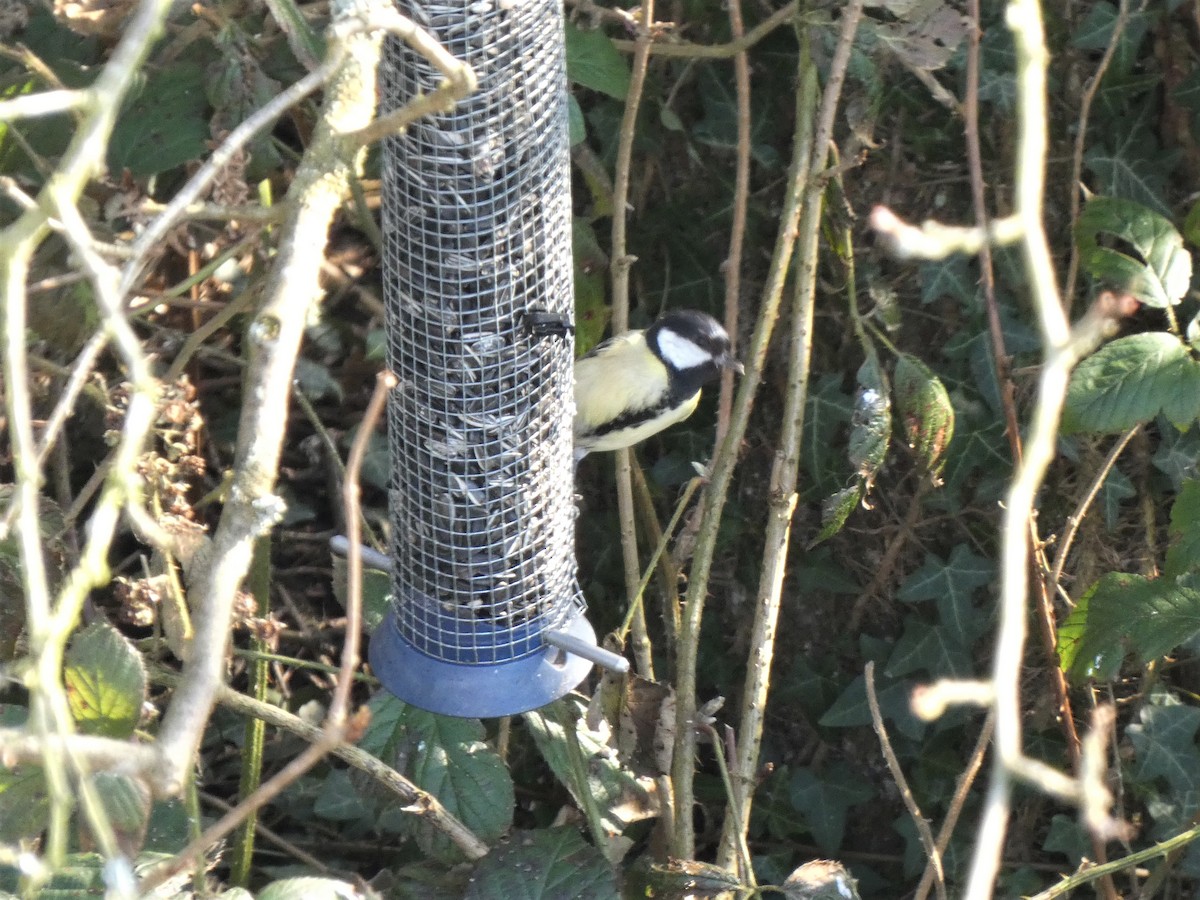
pixel 478 230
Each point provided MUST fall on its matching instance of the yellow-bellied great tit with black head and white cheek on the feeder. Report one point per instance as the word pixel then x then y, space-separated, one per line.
pixel 639 383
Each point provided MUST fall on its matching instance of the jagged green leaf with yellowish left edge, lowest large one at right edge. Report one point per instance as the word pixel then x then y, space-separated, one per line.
pixel 1124 614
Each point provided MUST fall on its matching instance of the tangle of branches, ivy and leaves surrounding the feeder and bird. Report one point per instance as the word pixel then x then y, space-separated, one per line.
pixel 904 483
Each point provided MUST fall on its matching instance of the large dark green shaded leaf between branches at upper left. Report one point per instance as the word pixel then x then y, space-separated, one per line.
pixel 165 127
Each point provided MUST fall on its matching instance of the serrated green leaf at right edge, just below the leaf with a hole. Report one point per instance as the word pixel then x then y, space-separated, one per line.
pixel 1131 381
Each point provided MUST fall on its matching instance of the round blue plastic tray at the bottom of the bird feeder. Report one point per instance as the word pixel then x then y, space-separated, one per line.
pixel 479 692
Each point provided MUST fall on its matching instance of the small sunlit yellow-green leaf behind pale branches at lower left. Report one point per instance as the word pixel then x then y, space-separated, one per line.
pixel 106 682
